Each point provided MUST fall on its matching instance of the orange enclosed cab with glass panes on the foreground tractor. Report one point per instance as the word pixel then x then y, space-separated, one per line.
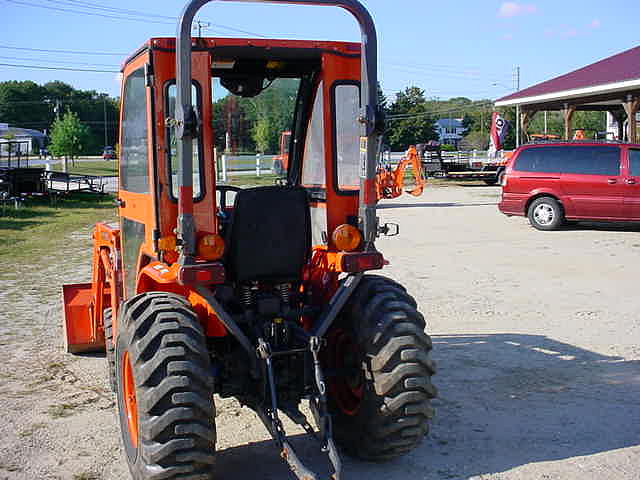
pixel 311 89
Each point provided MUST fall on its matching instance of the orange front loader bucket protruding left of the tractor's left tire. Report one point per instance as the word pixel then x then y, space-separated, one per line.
pixel 80 332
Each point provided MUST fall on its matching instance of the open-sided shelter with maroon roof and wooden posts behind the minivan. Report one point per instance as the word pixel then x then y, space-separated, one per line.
pixel 610 85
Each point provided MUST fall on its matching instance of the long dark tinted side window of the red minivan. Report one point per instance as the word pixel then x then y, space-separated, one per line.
pixel 586 160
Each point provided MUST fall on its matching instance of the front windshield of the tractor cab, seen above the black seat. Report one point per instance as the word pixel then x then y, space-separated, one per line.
pixel 252 121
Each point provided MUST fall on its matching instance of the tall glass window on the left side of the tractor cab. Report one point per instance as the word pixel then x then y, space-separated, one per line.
pixel 134 172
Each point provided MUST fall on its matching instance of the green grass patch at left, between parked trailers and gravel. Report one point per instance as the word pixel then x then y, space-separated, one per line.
pixel 40 226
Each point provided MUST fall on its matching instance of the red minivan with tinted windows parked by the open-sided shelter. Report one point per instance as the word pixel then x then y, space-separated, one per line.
pixel 554 182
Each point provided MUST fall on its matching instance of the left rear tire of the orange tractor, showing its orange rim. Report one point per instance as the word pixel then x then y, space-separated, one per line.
pixel 164 389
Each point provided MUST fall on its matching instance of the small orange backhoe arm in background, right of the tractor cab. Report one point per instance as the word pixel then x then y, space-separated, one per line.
pixel 390 182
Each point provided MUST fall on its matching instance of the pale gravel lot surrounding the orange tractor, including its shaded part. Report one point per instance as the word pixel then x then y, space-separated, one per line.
pixel 536 337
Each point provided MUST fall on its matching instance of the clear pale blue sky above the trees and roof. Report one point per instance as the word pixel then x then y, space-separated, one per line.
pixel 464 48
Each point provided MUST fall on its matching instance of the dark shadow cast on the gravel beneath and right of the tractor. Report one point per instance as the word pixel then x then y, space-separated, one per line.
pixel 505 400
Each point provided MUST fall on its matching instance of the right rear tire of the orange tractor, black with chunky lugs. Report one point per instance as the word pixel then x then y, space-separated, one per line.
pixel 382 409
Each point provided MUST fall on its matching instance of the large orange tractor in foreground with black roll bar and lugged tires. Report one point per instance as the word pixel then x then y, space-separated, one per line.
pixel 264 298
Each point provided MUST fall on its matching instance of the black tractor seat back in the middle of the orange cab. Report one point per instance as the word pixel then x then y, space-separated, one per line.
pixel 269 237
